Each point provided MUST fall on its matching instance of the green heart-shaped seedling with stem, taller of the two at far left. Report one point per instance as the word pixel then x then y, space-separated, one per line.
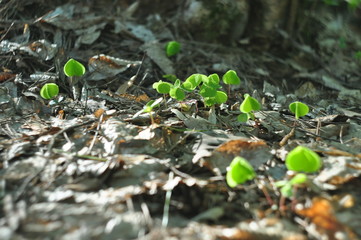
pixel 74 70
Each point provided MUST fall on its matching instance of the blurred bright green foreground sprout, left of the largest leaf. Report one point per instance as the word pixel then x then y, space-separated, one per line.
pixel 239 171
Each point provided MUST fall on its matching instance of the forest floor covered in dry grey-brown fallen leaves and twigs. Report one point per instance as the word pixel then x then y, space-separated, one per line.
pixel 98 167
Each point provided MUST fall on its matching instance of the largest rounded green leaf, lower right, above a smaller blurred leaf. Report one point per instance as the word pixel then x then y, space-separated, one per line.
pixel 302 159
